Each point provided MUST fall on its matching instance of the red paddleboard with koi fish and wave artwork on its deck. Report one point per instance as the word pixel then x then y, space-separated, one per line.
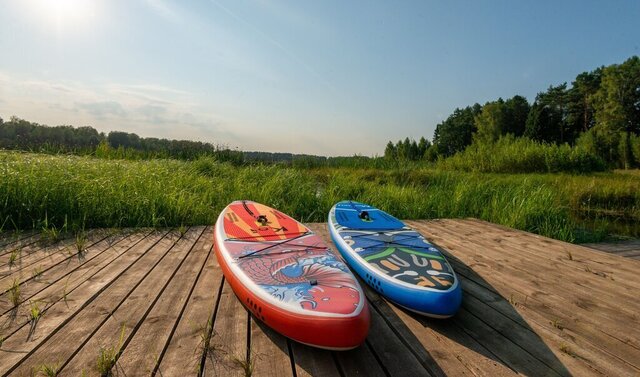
pixel 288 278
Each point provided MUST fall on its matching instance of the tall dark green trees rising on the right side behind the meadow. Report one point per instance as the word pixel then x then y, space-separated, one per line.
pixel 599 113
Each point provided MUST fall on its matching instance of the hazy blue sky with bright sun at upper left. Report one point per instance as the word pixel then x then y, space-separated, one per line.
pixel 319 77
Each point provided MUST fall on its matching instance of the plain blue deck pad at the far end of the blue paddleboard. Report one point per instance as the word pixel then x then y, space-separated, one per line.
pixel 348 215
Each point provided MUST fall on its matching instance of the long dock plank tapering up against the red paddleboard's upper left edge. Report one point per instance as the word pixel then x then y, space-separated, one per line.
pixel 184 353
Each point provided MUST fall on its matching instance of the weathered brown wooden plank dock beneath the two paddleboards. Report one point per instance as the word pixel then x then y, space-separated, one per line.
pixel 156 301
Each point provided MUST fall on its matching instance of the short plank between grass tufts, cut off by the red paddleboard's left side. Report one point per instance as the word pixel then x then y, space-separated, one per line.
pixel 229 337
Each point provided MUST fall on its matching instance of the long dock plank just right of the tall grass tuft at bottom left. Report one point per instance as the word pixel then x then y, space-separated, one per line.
pixel 144 351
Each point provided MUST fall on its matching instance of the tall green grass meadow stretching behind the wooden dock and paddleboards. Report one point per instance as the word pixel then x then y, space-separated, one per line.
pixel 72 193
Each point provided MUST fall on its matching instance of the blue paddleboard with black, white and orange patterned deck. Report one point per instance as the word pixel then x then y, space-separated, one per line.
pixel 394 259
